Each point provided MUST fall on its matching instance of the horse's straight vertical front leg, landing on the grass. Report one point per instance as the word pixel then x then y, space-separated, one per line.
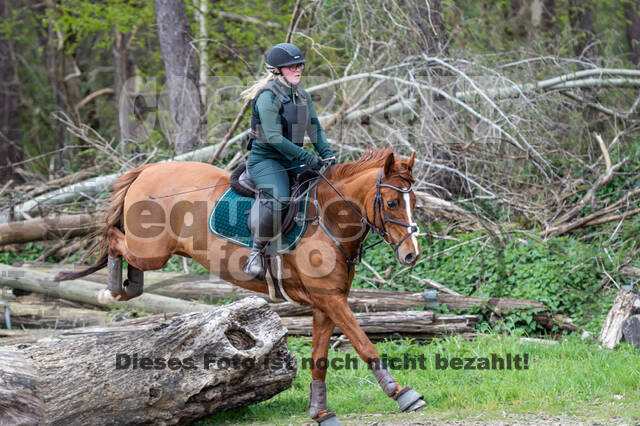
pixel 322 330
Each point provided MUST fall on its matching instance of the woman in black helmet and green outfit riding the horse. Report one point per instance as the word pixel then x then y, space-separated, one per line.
pixel 281 114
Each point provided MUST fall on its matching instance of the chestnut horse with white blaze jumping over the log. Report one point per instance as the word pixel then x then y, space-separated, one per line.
pixel 353 198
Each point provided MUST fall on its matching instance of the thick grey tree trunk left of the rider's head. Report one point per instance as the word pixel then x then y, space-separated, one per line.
pixel 181 69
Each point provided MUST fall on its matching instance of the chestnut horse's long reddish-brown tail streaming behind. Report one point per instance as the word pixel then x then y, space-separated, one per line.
pixel 113 217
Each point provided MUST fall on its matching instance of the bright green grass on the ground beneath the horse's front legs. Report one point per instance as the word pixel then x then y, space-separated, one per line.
pixel 574 378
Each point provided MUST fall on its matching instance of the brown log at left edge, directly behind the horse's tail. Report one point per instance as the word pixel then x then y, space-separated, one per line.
pixel 72 225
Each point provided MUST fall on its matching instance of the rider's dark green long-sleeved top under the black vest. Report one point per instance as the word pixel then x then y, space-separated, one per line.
pixel 278 147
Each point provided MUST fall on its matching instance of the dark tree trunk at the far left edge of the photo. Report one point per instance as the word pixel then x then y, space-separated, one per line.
pixel 10 139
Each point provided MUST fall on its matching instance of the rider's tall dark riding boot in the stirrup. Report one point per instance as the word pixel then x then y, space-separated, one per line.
pixel 267 226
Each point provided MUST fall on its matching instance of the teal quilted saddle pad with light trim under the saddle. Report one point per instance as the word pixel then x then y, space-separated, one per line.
pixel 229 220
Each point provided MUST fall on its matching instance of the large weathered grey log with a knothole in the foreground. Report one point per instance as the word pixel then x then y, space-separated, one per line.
pixel 76 373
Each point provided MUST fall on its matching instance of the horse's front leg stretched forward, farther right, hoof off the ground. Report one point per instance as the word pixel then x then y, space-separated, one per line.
pixel 340 313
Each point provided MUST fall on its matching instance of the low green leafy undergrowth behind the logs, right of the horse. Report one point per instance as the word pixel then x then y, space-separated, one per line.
pixel 564 274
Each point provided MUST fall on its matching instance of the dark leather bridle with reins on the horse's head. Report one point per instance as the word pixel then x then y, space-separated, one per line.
pixel 379 214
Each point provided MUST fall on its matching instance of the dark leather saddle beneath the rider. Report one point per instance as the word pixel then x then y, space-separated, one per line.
pixel 242 183
